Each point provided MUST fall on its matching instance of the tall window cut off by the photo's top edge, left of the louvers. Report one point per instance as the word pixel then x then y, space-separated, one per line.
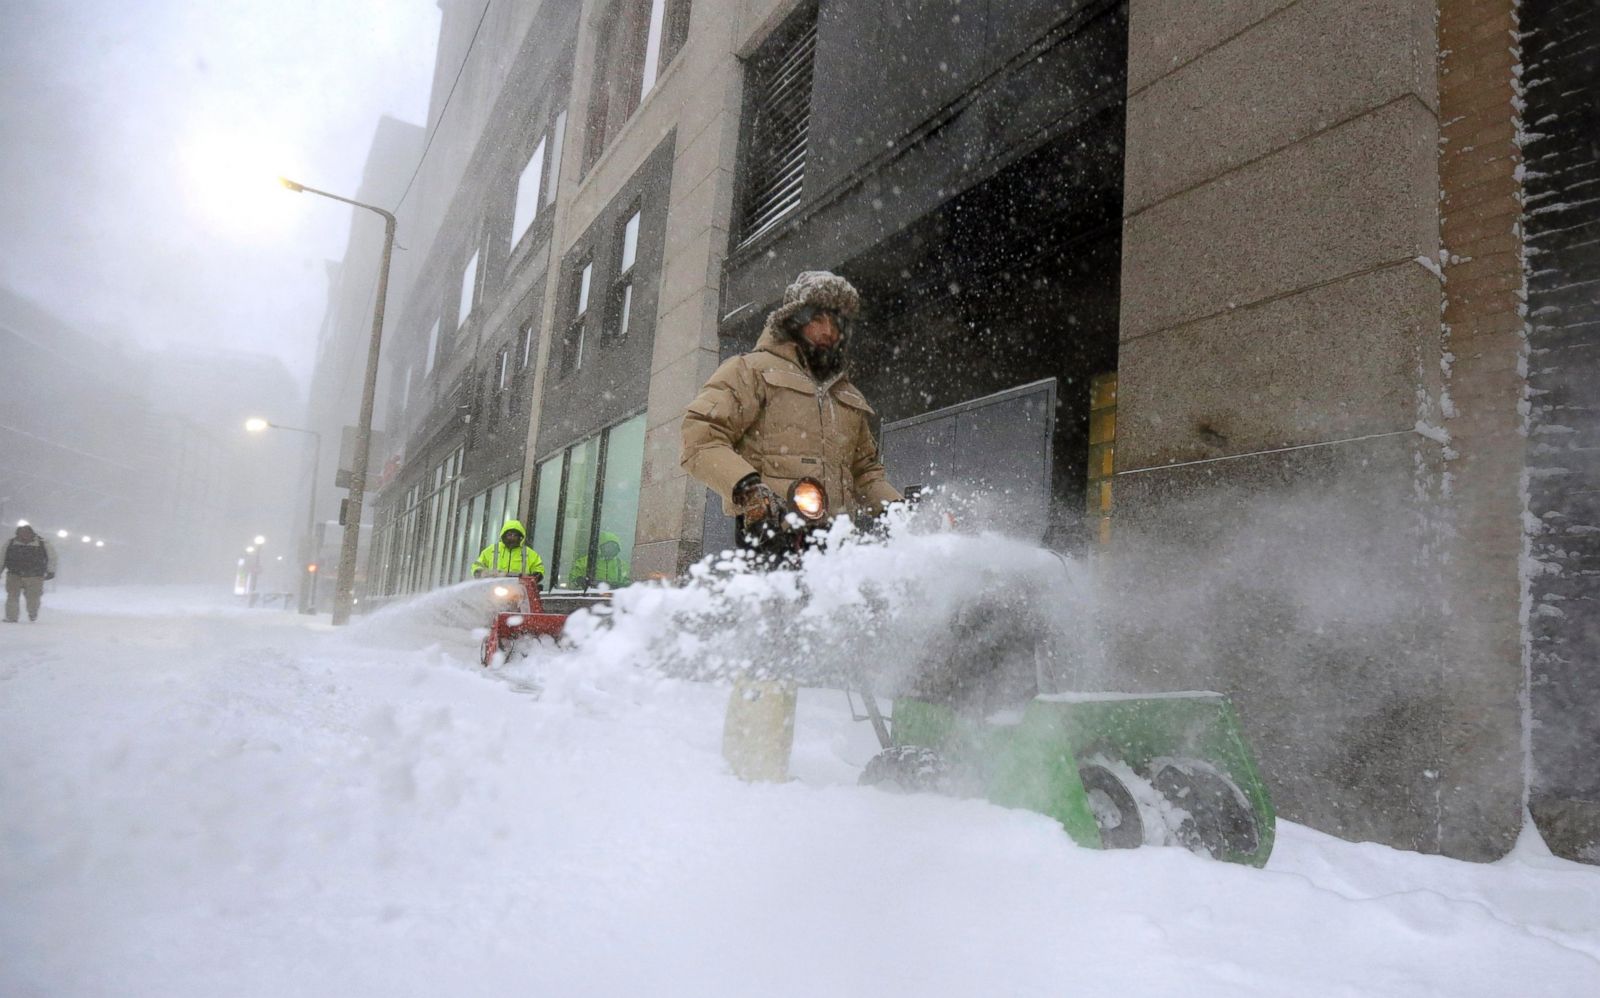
pixel 639 39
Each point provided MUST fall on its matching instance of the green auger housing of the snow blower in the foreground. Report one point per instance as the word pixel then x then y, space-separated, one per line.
pixel 1116 770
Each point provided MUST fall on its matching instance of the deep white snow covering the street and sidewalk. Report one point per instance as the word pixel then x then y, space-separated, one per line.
pixel 206 800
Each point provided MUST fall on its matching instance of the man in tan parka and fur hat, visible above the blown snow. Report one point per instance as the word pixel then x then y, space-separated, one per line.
pixel 788 412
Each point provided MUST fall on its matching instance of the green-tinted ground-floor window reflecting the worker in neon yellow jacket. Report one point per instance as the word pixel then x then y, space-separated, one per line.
pixel 586 509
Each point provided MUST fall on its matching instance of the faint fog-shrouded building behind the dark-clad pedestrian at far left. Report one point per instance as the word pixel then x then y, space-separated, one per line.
pixel 143 450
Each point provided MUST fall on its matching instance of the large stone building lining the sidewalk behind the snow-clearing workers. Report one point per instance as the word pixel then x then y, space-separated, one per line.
pixel 1310 287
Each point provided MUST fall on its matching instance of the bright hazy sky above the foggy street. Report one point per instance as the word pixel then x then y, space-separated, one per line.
pixel 140 142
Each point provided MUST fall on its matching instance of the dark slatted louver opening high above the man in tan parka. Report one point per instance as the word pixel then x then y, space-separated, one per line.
pixel 780 86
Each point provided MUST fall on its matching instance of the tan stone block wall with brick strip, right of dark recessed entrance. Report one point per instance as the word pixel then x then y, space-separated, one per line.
pixel 1300 452
